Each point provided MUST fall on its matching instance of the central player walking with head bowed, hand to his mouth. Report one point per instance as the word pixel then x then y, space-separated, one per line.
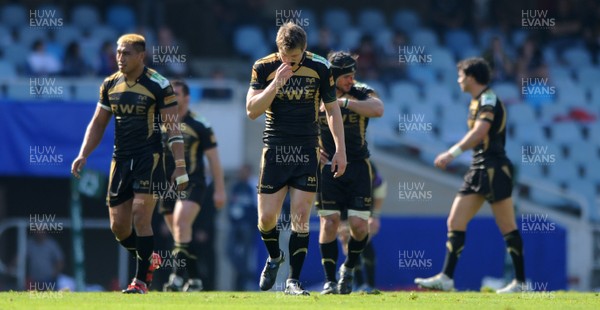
pixel 288 87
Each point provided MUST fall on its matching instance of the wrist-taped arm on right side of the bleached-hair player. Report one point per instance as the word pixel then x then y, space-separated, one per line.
pixel 176 145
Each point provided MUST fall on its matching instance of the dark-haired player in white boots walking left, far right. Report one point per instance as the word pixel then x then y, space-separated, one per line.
pixel 489 177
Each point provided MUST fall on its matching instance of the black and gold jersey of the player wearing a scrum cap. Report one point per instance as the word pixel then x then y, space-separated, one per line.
pixel 355 126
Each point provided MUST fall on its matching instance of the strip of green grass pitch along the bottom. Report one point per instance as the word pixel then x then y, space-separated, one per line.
pixel 271 300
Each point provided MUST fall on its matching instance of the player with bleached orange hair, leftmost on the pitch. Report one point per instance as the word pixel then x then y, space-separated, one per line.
pixel 139 98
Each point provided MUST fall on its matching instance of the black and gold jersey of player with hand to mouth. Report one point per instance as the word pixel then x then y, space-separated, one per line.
pixel 292 117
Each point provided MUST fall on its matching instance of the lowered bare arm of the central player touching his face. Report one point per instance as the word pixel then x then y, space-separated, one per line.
pixel 336 125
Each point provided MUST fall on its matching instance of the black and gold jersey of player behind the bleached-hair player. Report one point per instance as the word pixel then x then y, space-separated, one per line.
pixel 198 137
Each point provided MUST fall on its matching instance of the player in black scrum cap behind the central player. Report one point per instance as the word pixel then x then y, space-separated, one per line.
pixel 351 193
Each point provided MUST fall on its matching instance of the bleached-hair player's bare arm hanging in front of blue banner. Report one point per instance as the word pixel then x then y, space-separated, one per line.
pixel 93 136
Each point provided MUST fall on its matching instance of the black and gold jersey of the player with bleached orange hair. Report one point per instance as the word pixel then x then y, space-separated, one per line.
pixel 136 109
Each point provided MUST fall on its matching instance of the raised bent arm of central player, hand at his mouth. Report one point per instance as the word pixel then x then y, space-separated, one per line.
pixel 259 100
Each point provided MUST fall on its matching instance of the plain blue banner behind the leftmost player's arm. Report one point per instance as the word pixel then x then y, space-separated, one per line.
pixel 43 138
